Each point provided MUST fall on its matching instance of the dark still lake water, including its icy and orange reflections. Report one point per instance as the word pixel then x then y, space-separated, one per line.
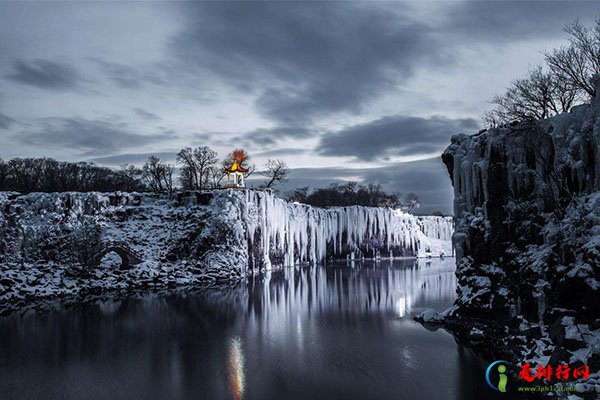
pixel 341 332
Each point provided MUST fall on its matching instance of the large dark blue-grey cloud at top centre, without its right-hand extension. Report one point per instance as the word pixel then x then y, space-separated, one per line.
pixel 305 60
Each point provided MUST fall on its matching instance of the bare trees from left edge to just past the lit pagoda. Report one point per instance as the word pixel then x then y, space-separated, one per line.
pixel 198 169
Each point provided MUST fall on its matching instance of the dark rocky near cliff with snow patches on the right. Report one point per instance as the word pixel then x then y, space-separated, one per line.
pixel 527 238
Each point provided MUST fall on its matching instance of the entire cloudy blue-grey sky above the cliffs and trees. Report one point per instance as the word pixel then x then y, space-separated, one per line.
pixel 370 92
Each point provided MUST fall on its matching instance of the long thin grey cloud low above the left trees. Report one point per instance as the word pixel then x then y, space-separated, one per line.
pixel 90 137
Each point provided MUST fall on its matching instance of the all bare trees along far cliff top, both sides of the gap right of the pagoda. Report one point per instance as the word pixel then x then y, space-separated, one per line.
pixel 199 169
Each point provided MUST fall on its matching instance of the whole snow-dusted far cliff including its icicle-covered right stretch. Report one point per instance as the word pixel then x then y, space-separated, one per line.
pixel 55 245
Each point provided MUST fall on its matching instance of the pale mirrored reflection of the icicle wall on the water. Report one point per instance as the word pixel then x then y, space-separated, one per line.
pixel 368 287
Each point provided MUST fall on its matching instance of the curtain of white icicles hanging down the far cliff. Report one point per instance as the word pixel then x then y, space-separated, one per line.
pixel 301 233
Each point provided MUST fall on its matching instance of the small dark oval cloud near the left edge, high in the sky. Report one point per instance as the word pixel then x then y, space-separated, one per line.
pixel 44 74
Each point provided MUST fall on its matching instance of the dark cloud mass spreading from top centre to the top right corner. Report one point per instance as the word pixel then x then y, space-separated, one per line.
pixel 303 61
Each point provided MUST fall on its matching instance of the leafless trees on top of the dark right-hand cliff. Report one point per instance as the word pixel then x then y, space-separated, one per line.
pixel 562 81
